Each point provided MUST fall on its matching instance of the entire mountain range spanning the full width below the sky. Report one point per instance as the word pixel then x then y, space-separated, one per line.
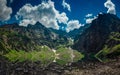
pixel 102 35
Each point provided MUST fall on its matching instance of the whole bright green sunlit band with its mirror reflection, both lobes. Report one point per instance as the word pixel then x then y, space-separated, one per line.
pixel 45 55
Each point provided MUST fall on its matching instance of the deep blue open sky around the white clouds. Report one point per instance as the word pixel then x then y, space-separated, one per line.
pixel 79 8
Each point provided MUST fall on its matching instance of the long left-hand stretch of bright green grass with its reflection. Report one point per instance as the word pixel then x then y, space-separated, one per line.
pixel 45 56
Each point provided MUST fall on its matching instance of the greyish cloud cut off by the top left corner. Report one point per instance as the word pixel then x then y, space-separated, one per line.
pixel 5 11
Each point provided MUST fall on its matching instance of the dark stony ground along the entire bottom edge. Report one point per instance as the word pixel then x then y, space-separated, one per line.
pixel 81 68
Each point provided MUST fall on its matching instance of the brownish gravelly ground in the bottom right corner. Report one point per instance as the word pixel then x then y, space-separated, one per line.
pixel 111 68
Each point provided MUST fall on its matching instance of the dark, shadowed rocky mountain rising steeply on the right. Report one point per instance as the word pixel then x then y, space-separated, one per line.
pixel 94 38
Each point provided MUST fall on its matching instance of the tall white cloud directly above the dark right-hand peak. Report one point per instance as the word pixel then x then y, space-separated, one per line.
pixel 111 7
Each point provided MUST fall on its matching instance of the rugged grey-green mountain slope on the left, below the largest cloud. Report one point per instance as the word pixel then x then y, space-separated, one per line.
pixel 28 38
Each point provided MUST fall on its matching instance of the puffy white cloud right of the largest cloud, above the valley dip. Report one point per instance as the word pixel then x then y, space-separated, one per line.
pixel 73 24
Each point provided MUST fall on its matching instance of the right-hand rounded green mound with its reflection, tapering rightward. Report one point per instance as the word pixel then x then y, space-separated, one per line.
pixel 67 55
